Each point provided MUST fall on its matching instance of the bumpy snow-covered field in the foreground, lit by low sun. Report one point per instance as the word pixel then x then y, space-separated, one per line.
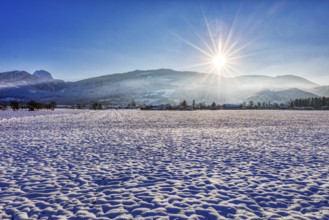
pixel 130 164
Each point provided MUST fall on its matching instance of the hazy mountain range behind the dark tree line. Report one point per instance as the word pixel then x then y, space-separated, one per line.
pixel 156 87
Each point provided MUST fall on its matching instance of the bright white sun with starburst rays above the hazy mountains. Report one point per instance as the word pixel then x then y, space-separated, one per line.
pixel 221 51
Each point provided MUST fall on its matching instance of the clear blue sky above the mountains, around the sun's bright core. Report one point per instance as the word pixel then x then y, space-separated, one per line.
pixel 76 39
